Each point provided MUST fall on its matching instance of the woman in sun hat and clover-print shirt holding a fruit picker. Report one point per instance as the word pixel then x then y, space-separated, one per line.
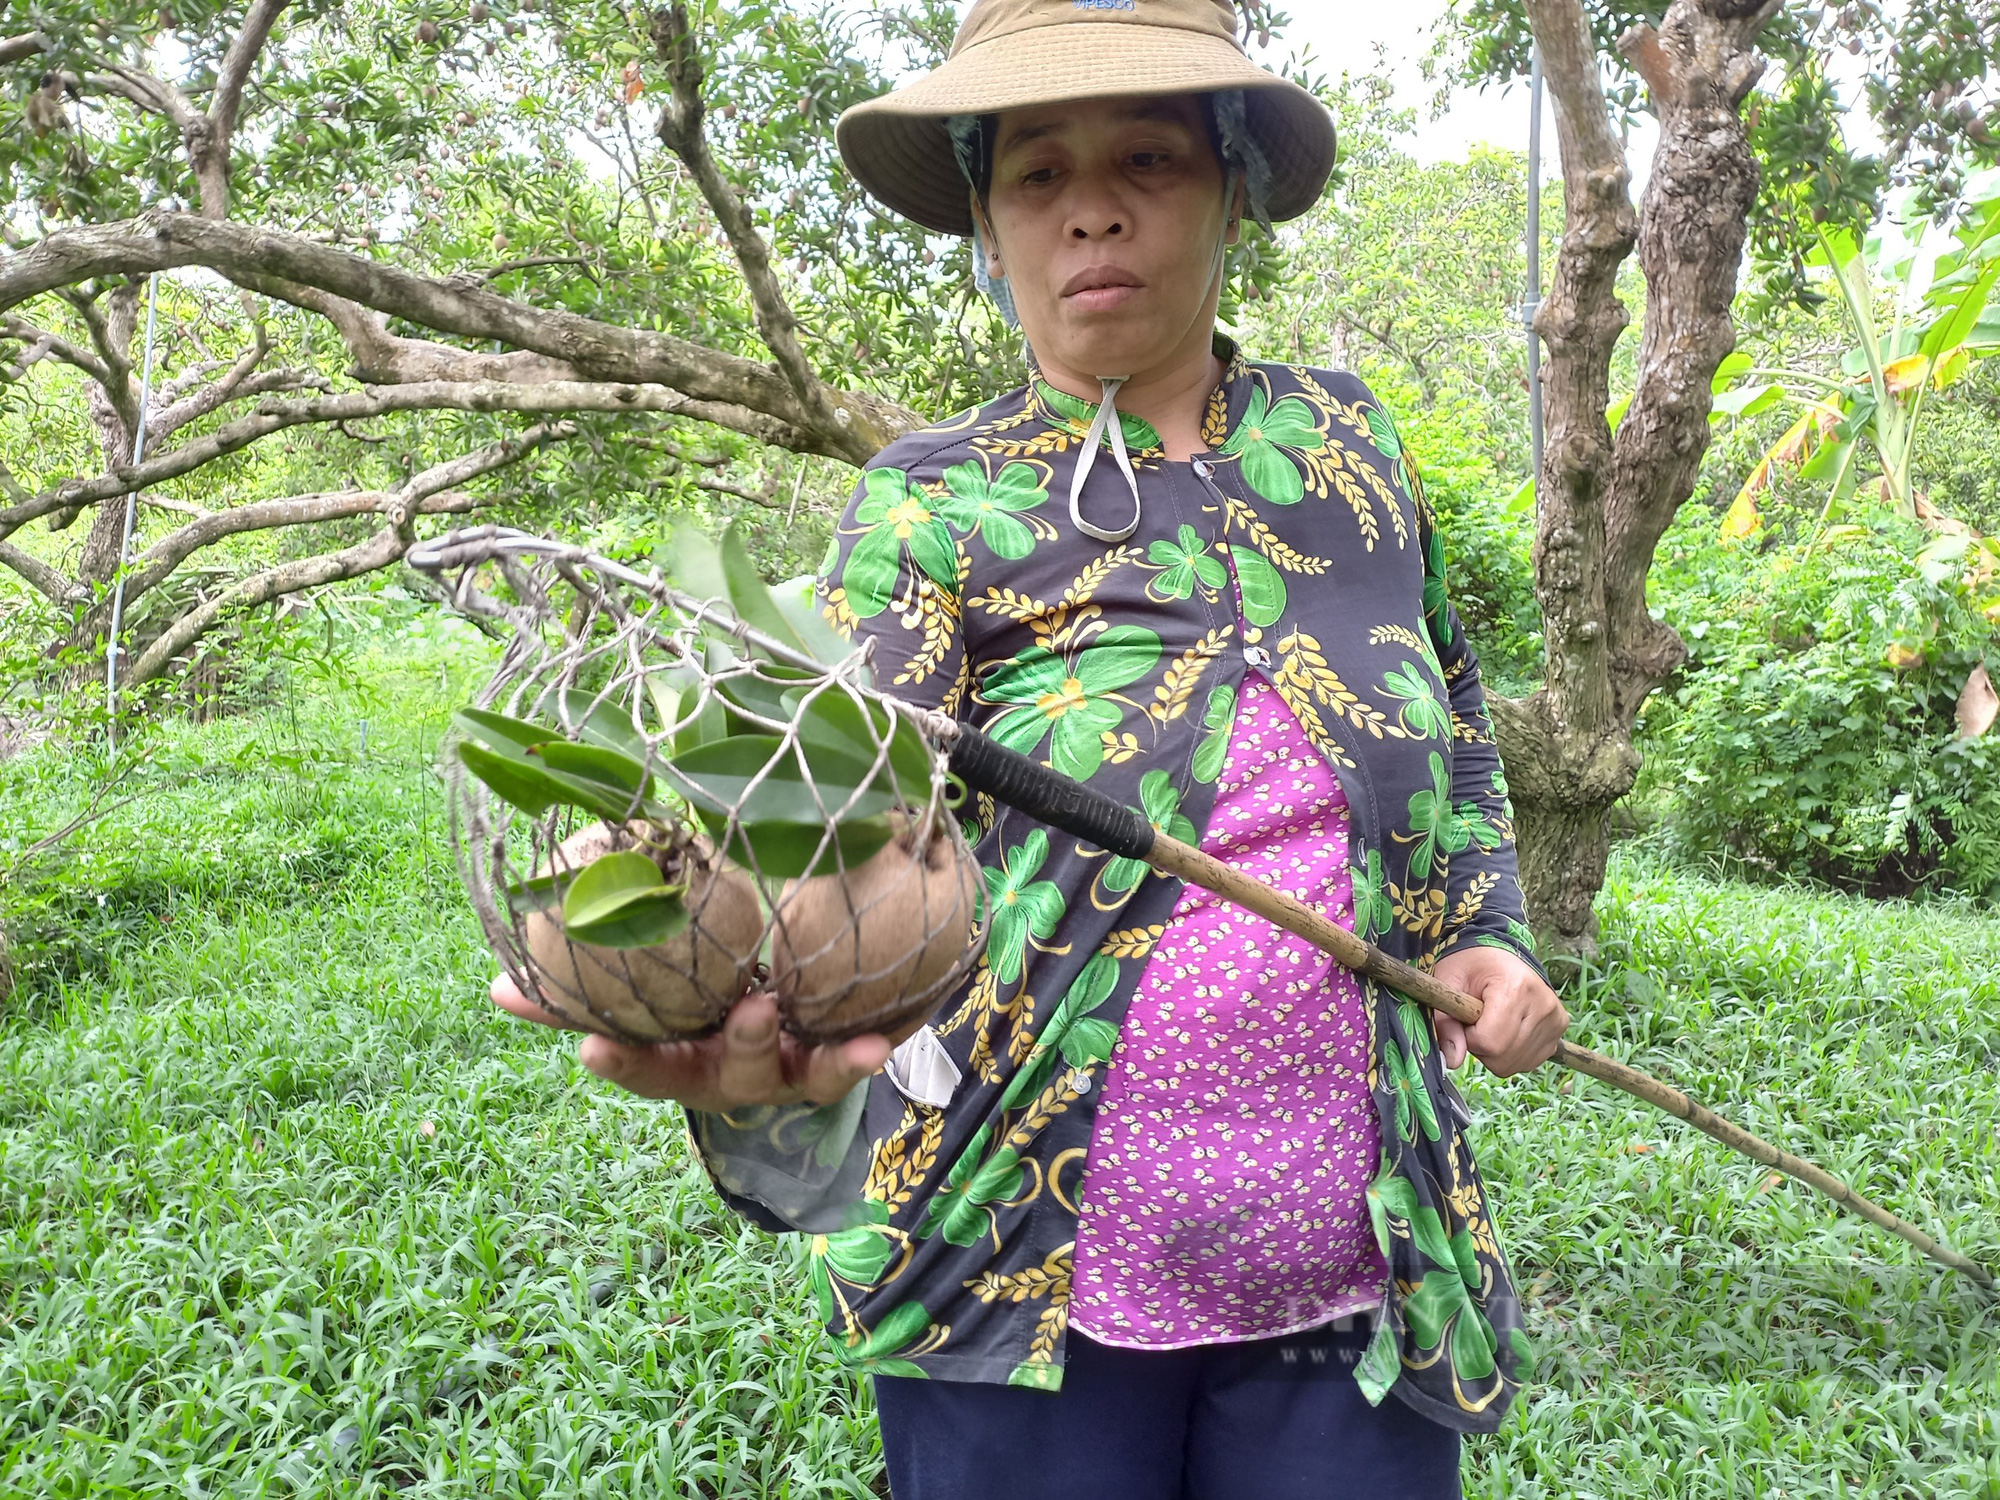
pixel 1129 1199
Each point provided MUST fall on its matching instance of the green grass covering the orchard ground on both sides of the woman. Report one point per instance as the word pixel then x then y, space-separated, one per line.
pixel 291 1211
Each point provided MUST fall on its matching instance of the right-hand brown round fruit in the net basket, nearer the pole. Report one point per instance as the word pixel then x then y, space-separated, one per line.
pixel 871 951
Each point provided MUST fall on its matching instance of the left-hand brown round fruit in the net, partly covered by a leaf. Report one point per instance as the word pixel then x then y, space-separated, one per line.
pixel 671 991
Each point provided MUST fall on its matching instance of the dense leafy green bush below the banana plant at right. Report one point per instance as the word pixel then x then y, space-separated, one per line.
pixel 1815 733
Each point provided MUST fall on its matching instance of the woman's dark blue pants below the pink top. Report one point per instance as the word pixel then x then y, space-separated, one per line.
pixel 1277 1419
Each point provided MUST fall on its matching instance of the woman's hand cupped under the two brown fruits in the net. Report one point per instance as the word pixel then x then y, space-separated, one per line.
pixel 751 1061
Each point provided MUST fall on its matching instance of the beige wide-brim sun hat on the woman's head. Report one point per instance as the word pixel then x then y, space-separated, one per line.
pixel 1017 55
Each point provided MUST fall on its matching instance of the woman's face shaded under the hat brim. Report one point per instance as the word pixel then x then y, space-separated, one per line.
pixel 1107 219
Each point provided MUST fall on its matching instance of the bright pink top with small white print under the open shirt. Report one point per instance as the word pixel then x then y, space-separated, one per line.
pixel 1225 1195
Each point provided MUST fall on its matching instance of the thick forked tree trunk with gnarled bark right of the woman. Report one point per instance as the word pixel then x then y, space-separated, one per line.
pixel 1605 501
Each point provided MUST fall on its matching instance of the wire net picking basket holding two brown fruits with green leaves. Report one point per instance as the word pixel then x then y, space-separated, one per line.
pixel 659 807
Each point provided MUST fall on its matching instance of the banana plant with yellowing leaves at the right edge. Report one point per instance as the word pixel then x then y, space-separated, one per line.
pixel 1939 285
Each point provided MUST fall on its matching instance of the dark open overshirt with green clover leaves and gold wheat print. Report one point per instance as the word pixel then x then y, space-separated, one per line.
pixel 945 1237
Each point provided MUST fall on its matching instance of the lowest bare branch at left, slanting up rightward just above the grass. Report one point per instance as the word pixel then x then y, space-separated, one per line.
pixel 429 493
